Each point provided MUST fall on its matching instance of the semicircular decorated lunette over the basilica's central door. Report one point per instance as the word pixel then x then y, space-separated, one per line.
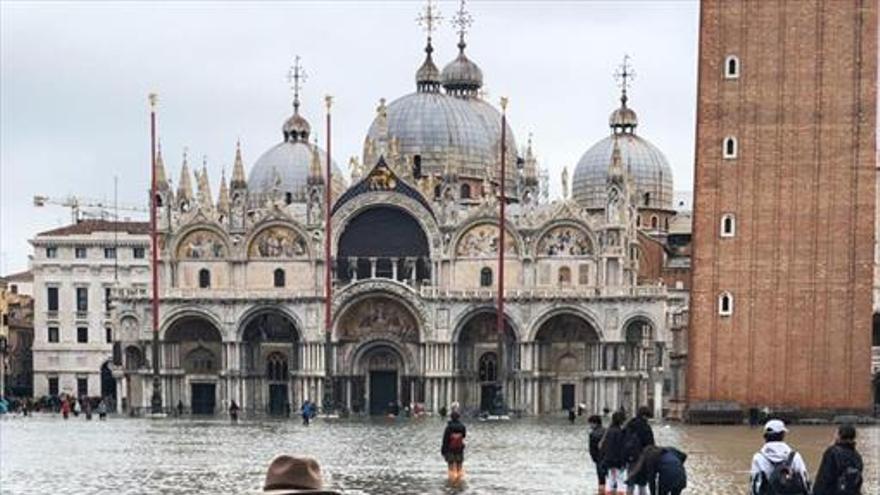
pixel 378 317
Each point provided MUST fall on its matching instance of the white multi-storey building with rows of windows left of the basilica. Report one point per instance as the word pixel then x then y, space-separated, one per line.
pixel 75 268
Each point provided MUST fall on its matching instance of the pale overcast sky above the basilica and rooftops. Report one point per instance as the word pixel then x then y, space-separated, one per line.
pixel 74 79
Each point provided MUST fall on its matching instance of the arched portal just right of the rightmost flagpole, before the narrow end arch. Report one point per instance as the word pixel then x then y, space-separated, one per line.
pixel 567 348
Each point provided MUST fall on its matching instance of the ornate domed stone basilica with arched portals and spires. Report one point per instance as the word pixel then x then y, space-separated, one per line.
pixel 414 259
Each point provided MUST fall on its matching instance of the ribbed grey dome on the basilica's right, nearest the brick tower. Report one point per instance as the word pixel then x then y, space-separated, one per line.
pixel 645 164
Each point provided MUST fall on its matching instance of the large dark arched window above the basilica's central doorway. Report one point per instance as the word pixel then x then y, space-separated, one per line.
pixel 384 242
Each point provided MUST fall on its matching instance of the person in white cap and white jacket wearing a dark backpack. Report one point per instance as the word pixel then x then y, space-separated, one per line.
pixel 777 468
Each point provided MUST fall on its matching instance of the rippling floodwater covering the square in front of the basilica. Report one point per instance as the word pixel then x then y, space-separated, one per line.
pixel 45 454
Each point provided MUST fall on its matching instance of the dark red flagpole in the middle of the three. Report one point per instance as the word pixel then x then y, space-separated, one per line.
pixel 328 288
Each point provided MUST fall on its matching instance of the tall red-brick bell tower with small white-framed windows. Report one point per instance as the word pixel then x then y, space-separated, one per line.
pixel 784 204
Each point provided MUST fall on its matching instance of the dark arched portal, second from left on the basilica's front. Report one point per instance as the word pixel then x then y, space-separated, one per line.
pixel 269 351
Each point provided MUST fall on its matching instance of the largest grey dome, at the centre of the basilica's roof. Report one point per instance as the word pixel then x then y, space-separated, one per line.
pixel 466 132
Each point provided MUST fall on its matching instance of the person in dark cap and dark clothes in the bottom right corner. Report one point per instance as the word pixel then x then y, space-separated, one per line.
pixel 840 472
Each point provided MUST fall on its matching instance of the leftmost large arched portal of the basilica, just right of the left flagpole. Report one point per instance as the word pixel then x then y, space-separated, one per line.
pixel 192 352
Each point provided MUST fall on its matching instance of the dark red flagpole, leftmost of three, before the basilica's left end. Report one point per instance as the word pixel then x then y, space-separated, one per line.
pixel 156 400
